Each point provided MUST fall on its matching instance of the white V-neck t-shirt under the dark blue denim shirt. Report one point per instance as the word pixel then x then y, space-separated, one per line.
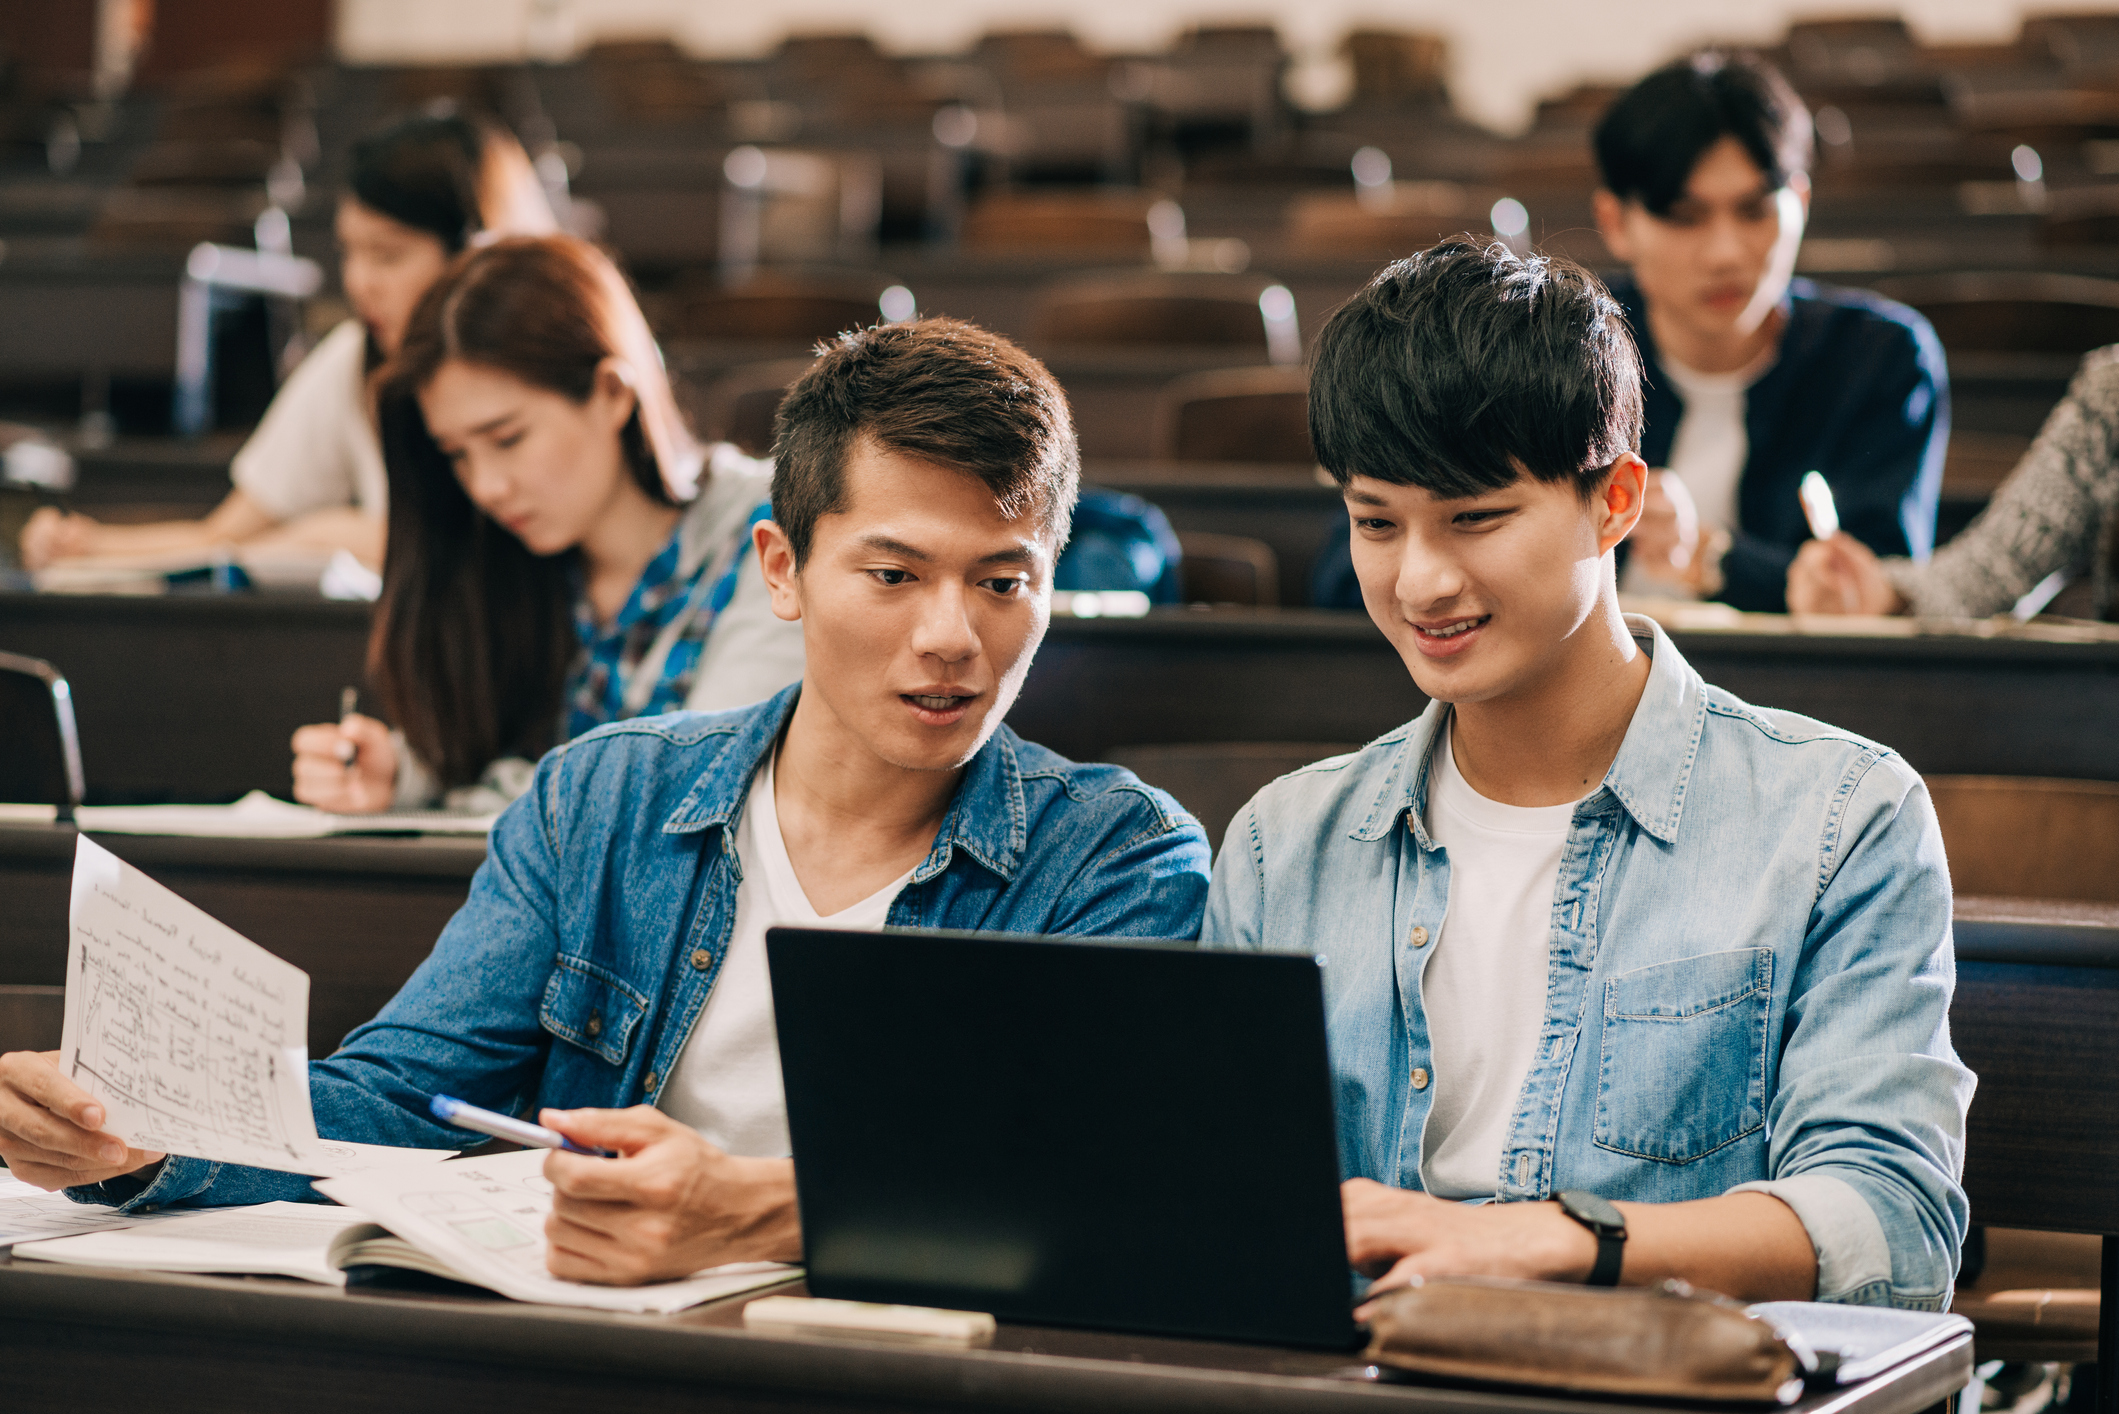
pixel 728 1078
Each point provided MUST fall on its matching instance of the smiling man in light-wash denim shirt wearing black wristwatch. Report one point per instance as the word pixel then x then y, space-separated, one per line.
pixel 1660 974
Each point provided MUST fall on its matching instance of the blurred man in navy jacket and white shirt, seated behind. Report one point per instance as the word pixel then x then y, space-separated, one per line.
pixel 1753 376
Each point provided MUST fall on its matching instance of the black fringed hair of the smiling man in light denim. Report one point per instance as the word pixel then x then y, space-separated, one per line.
pixel 1467 366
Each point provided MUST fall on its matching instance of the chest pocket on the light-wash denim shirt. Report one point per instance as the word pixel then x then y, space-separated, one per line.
pixel 1684 1070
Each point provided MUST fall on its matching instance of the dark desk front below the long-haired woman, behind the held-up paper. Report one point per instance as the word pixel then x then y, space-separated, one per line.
pixel 359 915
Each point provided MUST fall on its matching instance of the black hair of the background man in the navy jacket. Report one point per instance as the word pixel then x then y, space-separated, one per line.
pixel 1650 141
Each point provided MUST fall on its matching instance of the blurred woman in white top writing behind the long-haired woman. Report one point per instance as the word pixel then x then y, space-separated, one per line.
pixel 313 474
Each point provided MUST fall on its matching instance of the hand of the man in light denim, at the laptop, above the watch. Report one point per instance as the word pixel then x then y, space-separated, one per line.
pixel 1395 1237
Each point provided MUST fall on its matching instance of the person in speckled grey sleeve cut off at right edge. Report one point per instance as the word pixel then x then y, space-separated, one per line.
pixel 2054 514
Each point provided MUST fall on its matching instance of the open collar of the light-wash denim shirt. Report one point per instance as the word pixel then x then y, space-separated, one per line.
pixel 1648 777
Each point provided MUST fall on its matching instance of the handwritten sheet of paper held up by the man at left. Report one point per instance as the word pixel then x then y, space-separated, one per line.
pixel 192 1036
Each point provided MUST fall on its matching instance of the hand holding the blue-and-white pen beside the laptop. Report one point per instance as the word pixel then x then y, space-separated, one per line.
pixel 666 1207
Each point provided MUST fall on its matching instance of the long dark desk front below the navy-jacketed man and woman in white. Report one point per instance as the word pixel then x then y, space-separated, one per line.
pixel 194 699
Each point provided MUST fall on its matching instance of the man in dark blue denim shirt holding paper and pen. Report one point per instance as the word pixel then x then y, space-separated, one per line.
pixel 611 953
